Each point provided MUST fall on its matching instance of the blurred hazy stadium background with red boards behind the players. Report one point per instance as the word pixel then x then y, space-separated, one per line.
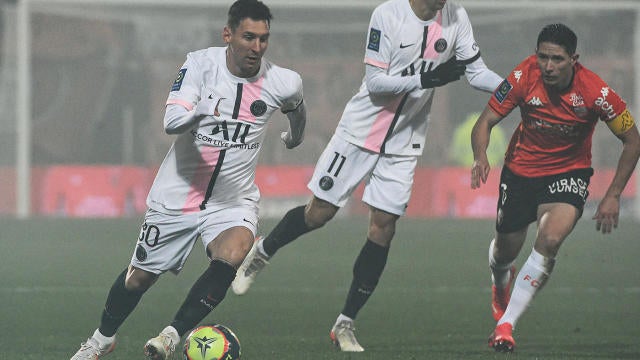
pixel 84 83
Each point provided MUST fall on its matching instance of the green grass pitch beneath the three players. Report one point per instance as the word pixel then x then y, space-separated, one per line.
pixel 432 301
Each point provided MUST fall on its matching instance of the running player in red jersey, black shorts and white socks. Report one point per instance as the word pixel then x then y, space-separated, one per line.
pixel 547 167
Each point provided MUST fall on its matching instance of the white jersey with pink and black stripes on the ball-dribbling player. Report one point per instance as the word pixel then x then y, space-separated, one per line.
pixel 214 161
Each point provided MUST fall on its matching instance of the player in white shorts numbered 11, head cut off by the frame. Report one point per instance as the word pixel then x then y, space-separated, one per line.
pixel 413 46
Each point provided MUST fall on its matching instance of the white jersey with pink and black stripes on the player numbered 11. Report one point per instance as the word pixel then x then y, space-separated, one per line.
pixel 404 45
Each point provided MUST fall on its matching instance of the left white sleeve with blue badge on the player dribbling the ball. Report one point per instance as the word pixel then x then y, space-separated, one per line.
pixel 185 89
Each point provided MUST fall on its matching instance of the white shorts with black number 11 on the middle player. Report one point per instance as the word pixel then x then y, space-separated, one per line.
pixel 342 166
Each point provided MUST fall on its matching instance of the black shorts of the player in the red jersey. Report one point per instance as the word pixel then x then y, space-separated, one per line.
pixel 519 197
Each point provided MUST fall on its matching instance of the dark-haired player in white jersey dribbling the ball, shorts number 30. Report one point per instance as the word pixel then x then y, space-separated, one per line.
pixel 218 107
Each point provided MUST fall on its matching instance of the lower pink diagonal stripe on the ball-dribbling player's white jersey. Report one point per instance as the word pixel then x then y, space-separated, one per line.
pixel 201 178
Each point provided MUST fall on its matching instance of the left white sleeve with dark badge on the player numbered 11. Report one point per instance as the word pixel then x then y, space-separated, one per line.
pixel 378 50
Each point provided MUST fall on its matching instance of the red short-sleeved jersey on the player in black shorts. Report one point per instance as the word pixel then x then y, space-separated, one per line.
pixel 555 133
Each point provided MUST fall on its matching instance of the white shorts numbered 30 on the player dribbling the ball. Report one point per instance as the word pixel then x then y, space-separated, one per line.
pixel 165 241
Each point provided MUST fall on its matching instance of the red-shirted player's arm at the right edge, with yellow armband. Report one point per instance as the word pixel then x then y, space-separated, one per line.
pixel 607 214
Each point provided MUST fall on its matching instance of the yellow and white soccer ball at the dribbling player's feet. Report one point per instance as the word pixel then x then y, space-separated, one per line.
pixel 211 342
